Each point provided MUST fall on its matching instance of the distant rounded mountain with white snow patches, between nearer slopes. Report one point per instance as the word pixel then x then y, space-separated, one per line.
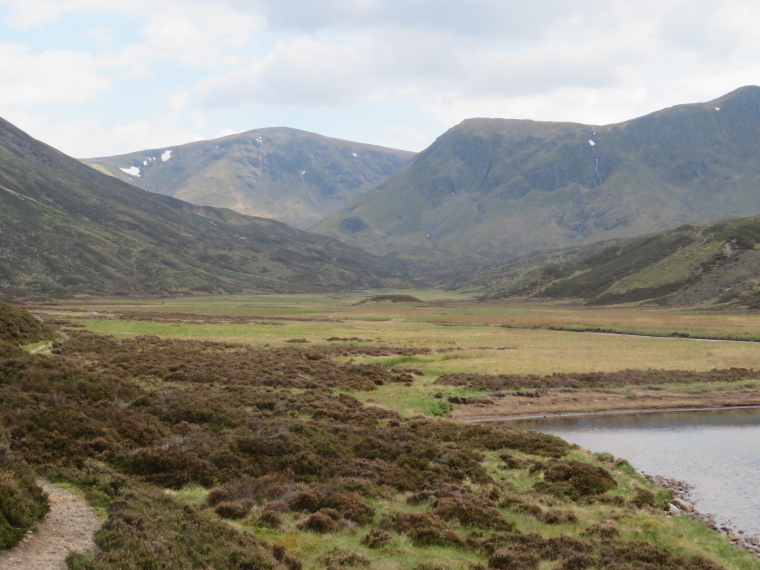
pixel 288 175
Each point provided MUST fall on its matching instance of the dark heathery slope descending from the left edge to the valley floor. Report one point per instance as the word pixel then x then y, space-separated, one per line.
pixel 67 229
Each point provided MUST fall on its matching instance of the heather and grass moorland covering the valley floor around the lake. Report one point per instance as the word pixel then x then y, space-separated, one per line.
pixel 315 431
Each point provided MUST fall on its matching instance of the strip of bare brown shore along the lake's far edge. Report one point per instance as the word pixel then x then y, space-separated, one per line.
pixel 556 403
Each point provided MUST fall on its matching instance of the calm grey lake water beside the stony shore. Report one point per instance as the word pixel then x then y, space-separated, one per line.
pixel 718 452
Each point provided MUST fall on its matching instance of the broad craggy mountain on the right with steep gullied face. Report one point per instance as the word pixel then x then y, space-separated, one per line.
pixel 495 187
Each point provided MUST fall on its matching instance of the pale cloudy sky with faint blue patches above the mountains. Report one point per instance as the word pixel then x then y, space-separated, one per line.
pixel 105 77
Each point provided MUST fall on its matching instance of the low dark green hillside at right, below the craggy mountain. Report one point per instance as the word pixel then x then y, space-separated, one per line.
pixel 685 266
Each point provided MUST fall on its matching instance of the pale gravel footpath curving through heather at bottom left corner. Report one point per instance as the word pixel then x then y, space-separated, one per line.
pixel 68 527
